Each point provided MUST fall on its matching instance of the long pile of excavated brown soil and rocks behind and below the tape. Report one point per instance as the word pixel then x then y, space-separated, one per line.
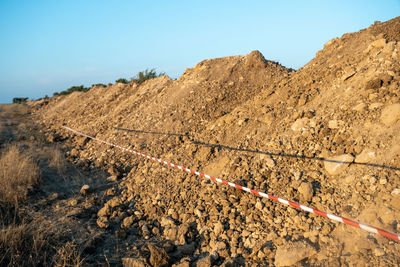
pixel 253 122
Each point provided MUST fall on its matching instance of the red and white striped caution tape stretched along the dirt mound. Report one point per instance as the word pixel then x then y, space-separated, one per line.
pixel 331 216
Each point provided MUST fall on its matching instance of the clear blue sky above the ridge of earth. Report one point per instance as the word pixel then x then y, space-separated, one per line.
pixel 49 46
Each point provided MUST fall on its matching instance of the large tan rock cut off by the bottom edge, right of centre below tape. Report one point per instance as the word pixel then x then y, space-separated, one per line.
pixel 292 253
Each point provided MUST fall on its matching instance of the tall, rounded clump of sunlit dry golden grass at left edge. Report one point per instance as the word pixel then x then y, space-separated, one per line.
pixel 18 174
